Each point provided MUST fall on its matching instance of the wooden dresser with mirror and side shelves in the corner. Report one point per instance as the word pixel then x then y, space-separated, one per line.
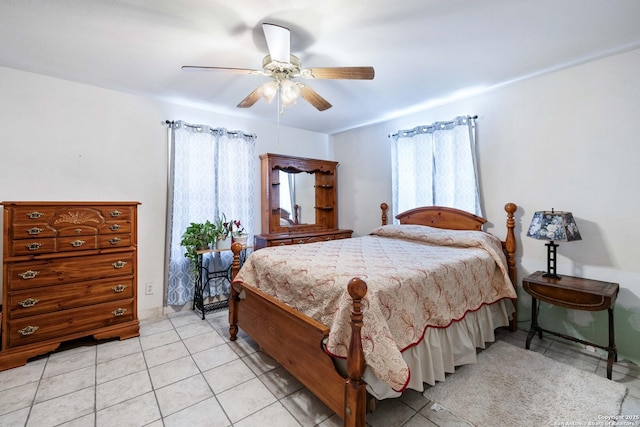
pixel 316 194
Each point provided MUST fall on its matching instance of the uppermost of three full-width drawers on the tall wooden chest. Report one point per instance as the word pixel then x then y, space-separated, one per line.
pixel 32 274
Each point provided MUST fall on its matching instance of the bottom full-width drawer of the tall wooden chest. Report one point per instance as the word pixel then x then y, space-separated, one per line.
pixel 67 322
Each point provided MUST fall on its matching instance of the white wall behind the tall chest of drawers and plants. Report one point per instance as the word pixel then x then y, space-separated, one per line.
pixel 68 141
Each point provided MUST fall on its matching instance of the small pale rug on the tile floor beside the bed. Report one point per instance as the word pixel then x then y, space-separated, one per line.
pixel 511 386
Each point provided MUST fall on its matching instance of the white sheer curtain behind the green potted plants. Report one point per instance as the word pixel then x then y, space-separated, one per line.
pixel 211 171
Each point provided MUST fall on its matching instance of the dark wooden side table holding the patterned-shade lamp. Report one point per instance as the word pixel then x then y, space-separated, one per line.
pixel 575 293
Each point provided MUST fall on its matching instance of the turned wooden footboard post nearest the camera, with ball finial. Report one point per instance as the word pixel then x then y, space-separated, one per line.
pixel 355 390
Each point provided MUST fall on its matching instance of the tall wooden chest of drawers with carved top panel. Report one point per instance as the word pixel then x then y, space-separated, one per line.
pixel 69 271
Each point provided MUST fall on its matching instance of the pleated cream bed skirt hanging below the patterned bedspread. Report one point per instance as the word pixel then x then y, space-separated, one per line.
pixel 442 350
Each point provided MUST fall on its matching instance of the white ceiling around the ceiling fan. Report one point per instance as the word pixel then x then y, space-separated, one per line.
pixel 423 51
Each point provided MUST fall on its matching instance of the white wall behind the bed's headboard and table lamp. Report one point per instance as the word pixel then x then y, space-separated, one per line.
pixel 567 140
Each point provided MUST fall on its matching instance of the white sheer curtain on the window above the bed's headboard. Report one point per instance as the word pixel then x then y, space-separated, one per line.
pixel 435 165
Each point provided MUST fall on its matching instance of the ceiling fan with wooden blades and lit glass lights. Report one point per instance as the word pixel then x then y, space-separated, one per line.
pixel 283 67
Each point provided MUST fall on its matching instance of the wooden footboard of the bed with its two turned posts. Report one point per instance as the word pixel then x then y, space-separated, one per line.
pixel 296 342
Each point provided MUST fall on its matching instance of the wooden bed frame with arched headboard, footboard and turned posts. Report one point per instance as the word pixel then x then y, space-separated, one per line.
pixel 296 340
